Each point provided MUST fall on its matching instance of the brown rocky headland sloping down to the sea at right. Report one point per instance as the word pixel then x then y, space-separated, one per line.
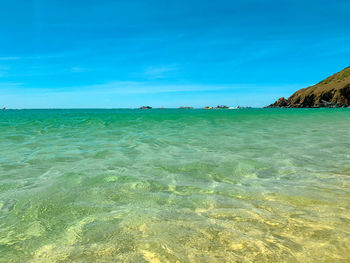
pixel 334 91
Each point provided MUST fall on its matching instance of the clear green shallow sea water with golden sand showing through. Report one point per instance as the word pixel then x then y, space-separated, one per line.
pixel 268 185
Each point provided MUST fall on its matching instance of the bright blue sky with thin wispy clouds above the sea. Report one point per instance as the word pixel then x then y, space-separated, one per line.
pixel 116 53
